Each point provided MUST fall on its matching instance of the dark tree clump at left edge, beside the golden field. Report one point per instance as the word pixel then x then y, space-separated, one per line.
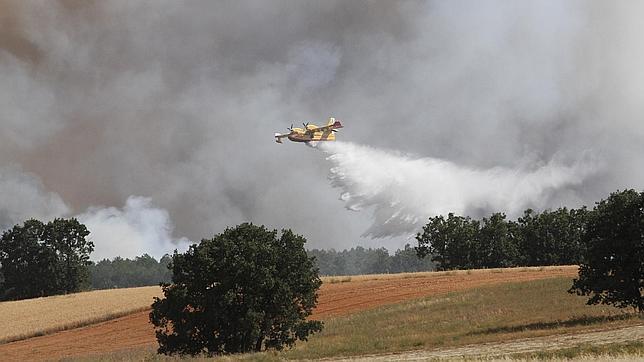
pixel 44 259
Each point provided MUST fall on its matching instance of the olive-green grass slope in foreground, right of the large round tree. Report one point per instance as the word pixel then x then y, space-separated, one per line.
pixel 488 314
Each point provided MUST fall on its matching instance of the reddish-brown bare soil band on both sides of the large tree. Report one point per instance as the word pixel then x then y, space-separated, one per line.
pixel 335 299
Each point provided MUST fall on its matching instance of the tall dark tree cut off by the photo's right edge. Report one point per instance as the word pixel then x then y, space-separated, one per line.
pixel 613 272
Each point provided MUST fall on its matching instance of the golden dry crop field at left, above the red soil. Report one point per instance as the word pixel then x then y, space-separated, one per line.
pixel 34 317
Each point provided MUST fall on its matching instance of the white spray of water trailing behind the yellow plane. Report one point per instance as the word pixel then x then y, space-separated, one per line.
pixel 405 190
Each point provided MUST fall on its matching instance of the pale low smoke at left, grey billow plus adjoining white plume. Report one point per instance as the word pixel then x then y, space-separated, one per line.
pixel 138 228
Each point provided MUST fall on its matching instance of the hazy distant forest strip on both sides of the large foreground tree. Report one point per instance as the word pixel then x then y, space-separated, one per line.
pixel 145 270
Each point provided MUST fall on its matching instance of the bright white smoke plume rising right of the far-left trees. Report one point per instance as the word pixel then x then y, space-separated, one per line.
pixel 137 228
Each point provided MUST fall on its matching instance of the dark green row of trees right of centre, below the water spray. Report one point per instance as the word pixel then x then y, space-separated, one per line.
pixel 551 237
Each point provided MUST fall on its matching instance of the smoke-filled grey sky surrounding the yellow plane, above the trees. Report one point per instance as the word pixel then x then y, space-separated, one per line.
pixel 157 117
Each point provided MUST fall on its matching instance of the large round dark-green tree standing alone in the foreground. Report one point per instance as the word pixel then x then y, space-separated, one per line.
pixel 245 289
